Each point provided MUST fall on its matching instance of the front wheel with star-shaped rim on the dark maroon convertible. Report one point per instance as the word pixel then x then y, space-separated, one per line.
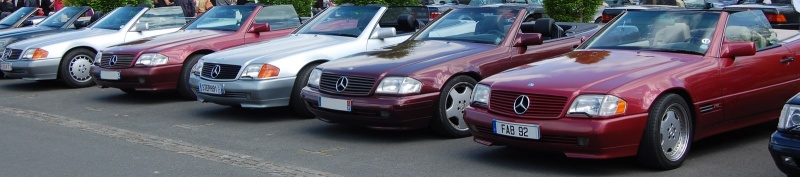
pixel 452 97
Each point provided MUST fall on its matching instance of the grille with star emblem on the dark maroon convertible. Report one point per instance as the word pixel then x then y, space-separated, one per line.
pixel 356 85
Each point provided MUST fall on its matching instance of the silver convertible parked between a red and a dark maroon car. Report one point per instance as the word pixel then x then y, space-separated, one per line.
pixel 271 73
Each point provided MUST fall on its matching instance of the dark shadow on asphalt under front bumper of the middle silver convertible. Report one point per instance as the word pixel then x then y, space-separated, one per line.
pixel 237 114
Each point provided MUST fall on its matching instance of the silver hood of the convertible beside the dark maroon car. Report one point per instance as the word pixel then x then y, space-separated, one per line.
pixel 276 49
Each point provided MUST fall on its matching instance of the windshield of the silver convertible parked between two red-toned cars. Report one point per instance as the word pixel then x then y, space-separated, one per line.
pixel 341 21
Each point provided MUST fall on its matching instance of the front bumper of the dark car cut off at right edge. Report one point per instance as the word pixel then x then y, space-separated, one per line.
pixel 783 145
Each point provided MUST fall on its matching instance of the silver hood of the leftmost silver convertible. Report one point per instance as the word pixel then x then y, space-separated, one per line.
pixel 61 37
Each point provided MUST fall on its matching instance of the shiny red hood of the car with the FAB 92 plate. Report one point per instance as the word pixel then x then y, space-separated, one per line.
pixel 596 71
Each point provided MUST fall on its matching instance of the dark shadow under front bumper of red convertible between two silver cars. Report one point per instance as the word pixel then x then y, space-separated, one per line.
pixel 118 97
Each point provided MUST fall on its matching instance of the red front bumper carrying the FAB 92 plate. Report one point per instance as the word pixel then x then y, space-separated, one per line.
pixel 575 137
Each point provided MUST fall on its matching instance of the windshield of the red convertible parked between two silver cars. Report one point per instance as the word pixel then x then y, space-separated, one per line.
pixel 224 18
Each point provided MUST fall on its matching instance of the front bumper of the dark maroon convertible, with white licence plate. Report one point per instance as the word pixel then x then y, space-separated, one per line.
pixel 380 112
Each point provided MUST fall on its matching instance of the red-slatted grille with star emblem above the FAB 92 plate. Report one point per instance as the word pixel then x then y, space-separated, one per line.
pixel 541 106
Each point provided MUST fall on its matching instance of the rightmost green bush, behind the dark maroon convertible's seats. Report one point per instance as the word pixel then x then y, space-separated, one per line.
pixel 572 10
